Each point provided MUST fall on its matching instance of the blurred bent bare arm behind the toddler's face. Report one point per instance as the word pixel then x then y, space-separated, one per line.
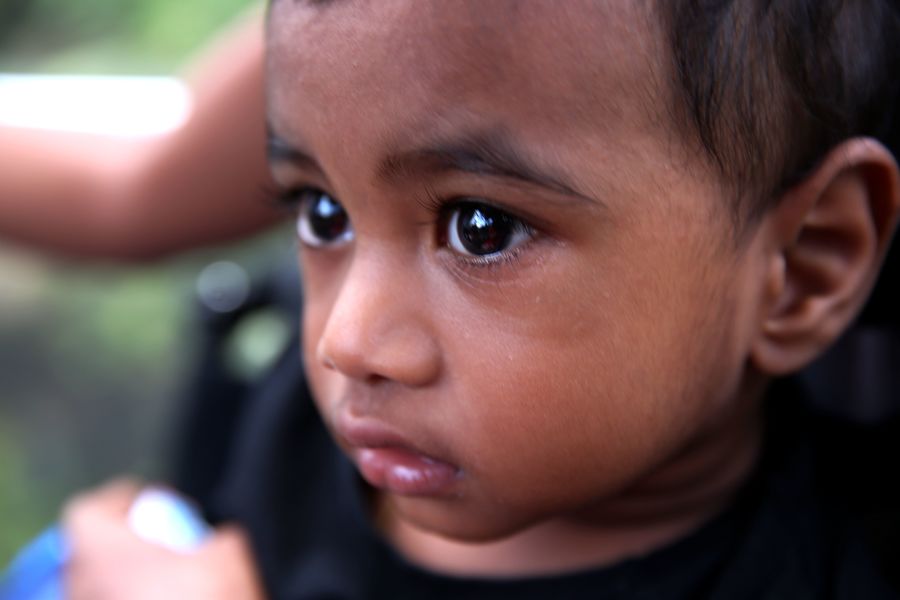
pixel 86 196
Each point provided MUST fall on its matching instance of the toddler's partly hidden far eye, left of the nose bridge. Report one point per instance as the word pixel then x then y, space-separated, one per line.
pixel 322 221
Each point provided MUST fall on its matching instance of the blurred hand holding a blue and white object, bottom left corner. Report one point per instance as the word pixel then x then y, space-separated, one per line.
pixel 110 562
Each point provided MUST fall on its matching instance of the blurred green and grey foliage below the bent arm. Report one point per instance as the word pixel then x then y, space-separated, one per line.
pixel 92 364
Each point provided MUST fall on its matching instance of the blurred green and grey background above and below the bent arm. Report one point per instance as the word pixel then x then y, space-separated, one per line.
pixel 93 357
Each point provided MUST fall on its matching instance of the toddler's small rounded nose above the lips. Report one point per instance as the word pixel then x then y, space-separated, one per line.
pixel 378 328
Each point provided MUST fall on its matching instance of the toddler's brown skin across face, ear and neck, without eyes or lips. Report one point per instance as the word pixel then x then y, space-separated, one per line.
pixel 597 386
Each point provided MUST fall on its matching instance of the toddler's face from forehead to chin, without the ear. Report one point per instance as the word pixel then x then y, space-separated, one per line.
pixel 573 317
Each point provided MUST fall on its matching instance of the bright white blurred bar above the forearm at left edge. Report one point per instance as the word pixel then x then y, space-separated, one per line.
pixel 126 106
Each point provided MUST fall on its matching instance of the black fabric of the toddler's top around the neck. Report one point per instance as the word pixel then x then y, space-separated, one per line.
pixel 790 534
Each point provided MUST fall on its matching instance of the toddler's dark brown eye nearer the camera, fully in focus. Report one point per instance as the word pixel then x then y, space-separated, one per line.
pixel 476 229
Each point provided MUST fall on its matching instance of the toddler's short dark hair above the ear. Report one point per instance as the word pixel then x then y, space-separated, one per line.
pixel 768 87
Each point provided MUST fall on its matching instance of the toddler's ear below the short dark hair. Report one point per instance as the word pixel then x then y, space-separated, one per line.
pixel 825 243
